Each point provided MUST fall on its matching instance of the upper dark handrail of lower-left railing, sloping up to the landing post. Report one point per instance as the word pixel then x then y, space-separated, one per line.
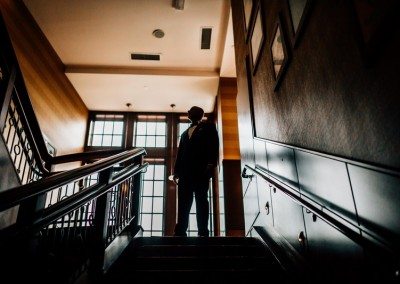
pixel 15 196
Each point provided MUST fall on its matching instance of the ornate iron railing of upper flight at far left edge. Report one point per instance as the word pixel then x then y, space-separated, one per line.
pixel 18 125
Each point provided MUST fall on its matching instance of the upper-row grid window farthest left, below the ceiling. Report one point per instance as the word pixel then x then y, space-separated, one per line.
pixel 106 130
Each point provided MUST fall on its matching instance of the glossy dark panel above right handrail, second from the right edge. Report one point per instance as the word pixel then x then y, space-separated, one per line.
pixel 326 181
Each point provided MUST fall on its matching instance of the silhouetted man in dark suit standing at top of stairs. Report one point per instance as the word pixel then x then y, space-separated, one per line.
pixel 195 163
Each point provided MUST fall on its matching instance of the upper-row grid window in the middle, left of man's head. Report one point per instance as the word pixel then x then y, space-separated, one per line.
pixel 151 131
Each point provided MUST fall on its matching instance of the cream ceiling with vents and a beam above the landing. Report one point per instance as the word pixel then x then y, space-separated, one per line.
pixel 95 38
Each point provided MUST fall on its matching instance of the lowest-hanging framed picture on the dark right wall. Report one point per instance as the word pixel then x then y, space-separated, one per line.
pixel 279 53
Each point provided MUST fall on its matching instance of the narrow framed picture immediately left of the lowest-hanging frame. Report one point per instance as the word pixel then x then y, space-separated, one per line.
pixel 257 37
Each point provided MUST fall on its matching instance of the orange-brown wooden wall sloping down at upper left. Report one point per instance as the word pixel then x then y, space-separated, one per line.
pixel 61 113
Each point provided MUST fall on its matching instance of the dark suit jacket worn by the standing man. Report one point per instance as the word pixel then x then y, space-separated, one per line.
pixel 196 152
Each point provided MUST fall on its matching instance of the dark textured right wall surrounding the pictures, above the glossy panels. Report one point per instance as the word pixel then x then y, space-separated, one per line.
pixel 328 99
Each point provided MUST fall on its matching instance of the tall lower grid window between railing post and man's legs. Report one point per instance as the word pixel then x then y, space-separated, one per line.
pixel 153 198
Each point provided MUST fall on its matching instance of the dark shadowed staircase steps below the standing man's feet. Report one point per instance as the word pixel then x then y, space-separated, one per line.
pixel 195 260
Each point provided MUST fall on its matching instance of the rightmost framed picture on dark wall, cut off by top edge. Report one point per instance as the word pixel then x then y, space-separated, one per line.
pixel 298 12
